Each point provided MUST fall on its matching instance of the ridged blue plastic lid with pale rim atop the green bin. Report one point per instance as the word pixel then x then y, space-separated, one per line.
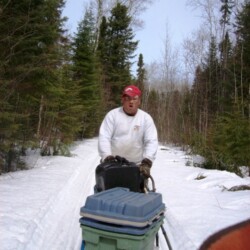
pixel 120 206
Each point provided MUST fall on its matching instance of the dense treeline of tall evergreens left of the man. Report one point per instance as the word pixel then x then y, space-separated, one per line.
pixel 55 89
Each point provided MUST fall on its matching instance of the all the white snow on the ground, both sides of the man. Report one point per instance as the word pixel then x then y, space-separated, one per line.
pixel 40 207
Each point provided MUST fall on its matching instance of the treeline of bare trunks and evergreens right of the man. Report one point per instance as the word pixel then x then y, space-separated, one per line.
pixel 212 116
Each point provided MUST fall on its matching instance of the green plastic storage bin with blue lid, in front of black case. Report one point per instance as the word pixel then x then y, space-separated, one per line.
pixel 118 215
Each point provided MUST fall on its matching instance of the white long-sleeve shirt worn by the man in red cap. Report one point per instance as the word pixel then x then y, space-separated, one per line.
pixel 131 137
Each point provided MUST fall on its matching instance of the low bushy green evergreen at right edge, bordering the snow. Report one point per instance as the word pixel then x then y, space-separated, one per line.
pixel 229 143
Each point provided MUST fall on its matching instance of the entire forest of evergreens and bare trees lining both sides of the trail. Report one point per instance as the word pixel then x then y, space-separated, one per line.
pixel 55 88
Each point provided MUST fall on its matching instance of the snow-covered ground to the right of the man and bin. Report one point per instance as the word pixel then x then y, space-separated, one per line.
pixel 196 205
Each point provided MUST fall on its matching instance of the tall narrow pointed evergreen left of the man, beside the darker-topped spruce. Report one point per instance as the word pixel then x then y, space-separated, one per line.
pixel 86 73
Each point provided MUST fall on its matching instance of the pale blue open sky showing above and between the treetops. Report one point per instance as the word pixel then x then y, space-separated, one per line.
pixel 162 17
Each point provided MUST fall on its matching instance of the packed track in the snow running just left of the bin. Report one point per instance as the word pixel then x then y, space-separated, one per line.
pixel 76 188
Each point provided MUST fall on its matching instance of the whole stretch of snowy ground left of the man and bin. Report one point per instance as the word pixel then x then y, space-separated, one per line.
pixel 57 206
